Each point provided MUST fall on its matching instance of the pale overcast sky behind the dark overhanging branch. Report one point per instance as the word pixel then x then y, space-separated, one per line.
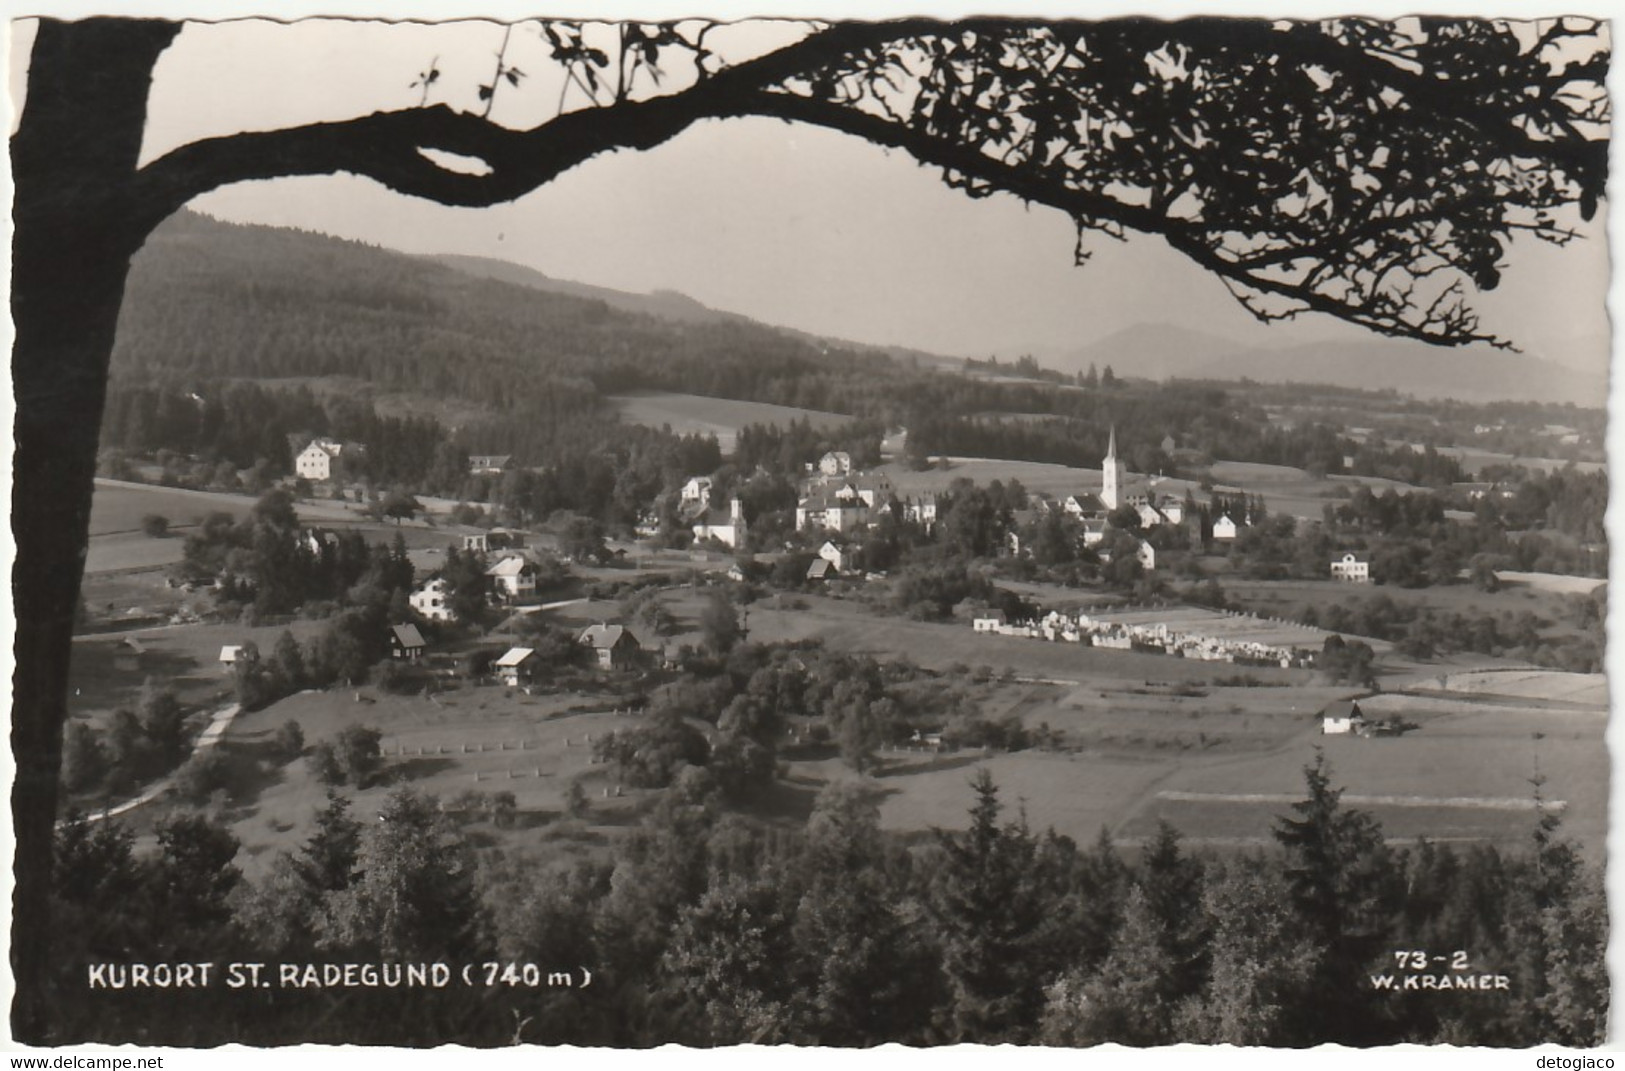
pixel 789 225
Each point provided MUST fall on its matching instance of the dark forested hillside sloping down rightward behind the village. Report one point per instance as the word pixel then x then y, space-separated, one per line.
pixel 212 305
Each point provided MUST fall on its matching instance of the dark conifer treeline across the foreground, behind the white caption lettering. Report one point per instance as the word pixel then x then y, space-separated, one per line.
pixel 704 927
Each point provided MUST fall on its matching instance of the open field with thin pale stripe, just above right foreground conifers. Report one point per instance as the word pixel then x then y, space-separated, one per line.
pixel 1463 776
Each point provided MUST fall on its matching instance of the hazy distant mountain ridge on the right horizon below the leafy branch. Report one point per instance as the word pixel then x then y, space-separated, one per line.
pixel 1468 375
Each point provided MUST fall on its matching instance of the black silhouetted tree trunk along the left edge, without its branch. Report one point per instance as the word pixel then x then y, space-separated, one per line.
pixel 72 158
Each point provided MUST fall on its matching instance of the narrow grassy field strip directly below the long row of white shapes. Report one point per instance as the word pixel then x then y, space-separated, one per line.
pixel 851 627
